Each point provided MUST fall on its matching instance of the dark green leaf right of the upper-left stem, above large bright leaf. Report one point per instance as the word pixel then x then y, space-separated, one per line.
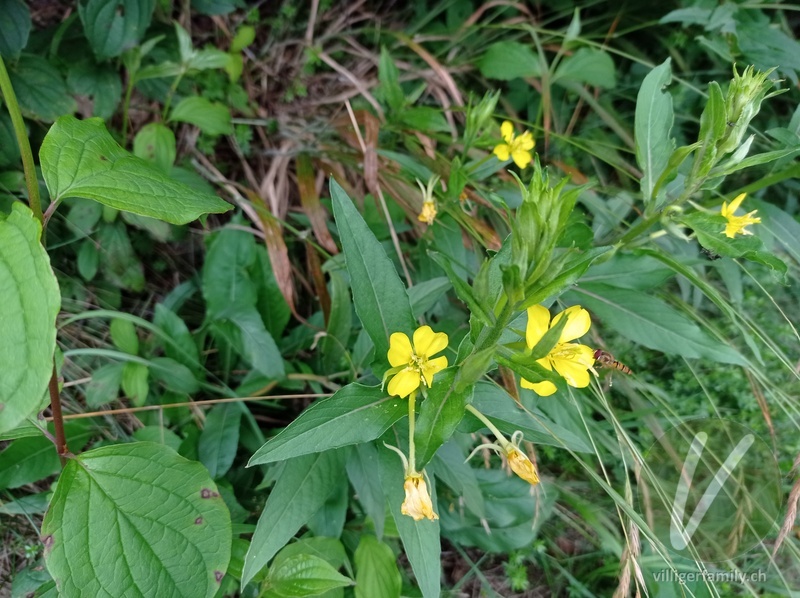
pixel 40 88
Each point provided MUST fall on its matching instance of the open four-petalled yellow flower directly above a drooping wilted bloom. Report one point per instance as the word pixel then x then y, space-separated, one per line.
pixel 412 365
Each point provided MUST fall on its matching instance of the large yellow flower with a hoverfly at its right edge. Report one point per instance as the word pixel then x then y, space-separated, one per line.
pixel 570 360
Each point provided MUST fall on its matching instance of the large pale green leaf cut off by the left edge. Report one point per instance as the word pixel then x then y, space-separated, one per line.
pixel 28 311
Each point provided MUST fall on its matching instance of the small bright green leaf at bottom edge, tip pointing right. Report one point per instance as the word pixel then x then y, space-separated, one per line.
pixel 305 575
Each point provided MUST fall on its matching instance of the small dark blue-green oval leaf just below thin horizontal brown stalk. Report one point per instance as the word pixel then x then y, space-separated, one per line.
pixel 220 439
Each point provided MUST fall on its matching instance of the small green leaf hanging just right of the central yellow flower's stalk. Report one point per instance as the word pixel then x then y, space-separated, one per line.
pixel 439 415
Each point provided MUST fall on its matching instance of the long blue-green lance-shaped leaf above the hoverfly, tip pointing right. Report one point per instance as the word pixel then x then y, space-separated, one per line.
pixel 652 323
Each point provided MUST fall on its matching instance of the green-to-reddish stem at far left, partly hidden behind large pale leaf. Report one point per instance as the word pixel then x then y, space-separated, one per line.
pixel 32 183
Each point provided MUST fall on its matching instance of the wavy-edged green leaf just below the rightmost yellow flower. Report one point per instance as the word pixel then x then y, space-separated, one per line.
pixel 710 232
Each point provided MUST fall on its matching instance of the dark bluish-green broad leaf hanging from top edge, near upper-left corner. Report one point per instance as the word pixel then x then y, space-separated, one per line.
pixel 112 26
